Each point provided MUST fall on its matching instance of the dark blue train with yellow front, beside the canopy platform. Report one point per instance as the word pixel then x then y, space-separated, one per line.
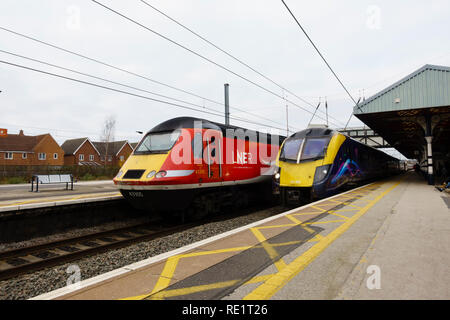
pixel 317 162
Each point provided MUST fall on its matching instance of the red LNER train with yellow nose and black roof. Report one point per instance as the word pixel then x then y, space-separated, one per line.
pixel 188 161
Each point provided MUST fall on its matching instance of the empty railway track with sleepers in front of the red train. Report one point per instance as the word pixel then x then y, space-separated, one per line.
pixel 19 261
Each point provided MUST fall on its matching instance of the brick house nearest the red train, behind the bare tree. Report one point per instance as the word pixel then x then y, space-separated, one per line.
pixel 117 153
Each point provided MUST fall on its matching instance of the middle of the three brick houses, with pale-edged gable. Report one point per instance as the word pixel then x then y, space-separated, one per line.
pixel 80 152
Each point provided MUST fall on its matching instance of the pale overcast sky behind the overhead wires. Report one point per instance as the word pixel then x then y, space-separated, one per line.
pixel 370 45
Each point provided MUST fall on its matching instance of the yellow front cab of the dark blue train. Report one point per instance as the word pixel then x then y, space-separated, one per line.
pixel 303 165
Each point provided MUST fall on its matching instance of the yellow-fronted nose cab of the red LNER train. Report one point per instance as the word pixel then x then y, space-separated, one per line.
pixel 165 168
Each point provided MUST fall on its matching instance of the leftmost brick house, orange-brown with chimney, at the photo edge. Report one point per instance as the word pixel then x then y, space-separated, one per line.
pixel 22 150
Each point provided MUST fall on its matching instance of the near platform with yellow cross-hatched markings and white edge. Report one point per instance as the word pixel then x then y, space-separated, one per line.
pixel 385 240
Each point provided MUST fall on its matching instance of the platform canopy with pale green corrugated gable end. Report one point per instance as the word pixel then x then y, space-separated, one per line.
pixel 411 109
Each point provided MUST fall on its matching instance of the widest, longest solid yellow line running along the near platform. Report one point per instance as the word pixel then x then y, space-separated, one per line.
pixel 281 278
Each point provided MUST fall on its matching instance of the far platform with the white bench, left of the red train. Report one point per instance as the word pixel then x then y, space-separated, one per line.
pixel 19 197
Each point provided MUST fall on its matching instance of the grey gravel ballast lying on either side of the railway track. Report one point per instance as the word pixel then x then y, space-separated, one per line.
pixel 42 281
